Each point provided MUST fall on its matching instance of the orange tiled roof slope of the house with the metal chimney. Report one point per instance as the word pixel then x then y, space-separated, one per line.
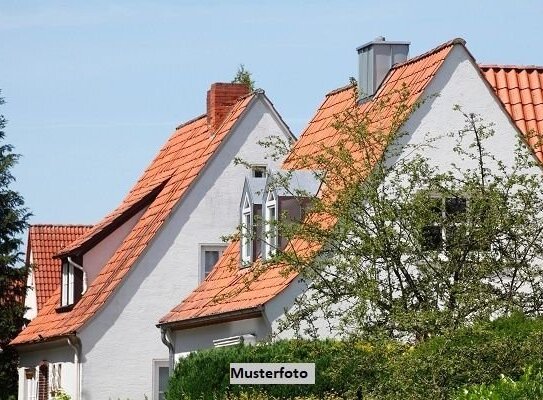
pixel 228 288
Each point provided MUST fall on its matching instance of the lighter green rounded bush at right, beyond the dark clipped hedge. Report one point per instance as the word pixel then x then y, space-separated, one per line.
pixel 477 355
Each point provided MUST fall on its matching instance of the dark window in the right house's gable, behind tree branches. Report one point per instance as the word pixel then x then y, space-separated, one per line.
pixel 447 227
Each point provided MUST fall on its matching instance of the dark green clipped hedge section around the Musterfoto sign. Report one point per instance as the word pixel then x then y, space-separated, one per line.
pixel 205 375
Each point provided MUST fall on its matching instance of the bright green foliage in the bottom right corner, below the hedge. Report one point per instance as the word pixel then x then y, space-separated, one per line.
pixel 528 387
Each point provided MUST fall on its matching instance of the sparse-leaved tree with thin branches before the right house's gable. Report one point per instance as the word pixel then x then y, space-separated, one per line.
pixel 400 248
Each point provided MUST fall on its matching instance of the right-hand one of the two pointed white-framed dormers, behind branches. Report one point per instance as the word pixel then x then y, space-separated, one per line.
pixel 286 195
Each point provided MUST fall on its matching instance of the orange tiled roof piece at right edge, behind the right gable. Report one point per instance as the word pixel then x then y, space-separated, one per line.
pixel 520 88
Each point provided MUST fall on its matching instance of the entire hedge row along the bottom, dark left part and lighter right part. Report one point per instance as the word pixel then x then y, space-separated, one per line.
pixel 435 369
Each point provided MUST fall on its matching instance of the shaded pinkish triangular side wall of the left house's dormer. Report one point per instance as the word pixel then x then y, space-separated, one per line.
pixel 97 257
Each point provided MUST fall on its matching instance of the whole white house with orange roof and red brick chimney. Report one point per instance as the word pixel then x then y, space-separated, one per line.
pixel 95 337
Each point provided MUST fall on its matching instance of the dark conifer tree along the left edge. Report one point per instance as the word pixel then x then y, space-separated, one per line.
pixel 13 221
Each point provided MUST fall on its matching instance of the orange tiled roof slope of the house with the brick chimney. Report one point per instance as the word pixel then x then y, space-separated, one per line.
pixel 175 168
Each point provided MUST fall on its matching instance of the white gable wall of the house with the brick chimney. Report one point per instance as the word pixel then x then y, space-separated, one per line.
pixel 121 341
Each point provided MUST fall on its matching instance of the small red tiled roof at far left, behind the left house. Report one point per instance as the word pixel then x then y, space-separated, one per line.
pixel 44 241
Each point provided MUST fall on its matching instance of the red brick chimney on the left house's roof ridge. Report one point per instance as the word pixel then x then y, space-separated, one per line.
pixel 220 99
